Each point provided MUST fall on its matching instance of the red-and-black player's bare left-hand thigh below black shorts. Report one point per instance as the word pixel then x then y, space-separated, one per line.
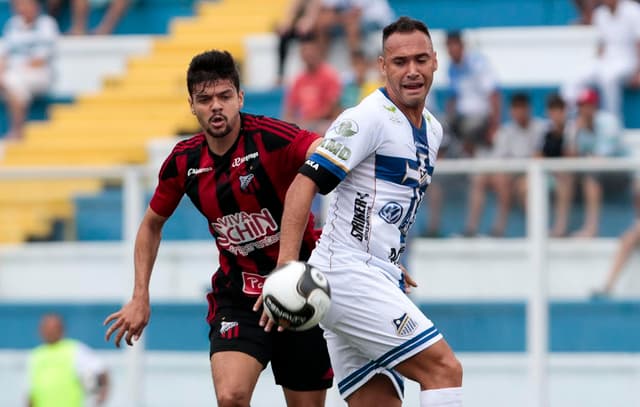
pixel 235 375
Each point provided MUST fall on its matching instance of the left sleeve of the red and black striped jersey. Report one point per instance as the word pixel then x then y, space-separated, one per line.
pixel 170 188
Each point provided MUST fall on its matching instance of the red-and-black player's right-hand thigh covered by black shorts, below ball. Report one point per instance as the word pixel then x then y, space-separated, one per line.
pixel 301 364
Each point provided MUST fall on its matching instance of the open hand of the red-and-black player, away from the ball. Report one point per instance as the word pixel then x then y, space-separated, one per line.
pixel 130 321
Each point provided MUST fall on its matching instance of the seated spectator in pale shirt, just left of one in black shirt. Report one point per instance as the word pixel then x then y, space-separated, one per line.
pixel 518 139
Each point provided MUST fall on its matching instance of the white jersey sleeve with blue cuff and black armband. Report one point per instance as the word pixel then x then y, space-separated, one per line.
pixel 354 136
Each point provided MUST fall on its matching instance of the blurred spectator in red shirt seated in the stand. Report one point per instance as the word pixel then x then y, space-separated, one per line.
pixel 314 98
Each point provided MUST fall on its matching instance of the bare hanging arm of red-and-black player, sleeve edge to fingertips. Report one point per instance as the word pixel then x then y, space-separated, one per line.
pixel 132 318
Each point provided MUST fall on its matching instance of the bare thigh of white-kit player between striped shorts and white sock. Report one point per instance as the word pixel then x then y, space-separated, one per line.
pixel 433 367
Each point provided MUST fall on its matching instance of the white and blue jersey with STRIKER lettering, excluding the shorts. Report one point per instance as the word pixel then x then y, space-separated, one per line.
pixel 380 166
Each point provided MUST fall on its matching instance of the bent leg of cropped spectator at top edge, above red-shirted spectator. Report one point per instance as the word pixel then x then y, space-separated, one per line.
pixel 299 20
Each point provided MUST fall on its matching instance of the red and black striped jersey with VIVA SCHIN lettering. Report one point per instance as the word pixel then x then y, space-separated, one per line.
pixel 241 194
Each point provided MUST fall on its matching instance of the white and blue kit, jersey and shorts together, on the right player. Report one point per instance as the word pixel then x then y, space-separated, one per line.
pixel 380 166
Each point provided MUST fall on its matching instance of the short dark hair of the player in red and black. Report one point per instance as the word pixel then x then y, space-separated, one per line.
pixel 211 66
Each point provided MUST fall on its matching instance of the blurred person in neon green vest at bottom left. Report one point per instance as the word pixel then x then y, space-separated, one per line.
pixel 62 372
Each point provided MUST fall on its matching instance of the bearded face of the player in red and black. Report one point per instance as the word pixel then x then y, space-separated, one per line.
pixel 217 107
